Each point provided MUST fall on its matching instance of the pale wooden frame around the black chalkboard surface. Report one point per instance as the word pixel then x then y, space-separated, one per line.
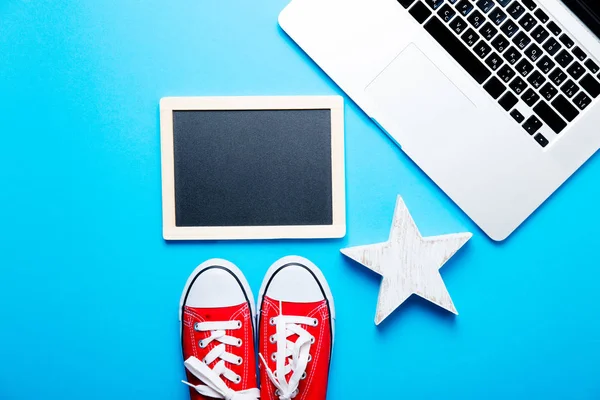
pixel 333 103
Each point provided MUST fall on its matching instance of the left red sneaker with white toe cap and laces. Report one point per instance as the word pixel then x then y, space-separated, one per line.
pixel 217 333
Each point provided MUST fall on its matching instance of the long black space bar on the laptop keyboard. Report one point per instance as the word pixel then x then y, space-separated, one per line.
pixel 457 50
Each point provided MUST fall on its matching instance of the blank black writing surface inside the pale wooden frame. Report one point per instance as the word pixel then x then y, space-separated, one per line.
pixel 252 167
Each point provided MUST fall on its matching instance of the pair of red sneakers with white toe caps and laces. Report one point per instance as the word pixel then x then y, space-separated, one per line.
pixel 293 332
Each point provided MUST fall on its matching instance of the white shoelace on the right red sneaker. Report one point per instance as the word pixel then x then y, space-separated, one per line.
pixel 298 352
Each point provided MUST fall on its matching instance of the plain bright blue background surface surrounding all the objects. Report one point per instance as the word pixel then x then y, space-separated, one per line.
pixel 89 290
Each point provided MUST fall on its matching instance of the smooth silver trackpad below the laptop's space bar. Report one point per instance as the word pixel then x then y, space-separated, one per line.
pixel 418 101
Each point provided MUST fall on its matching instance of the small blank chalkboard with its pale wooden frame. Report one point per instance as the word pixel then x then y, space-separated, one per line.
pixel 252 168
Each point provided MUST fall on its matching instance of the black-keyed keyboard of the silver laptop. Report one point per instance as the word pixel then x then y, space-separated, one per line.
pixel 523 60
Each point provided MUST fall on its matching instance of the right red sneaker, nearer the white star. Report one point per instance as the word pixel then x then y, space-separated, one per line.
pixel 295 335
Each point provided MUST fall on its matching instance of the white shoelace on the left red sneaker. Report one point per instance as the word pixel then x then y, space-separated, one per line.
pixel 214 386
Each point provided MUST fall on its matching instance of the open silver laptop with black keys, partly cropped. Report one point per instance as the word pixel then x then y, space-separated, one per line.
pixel 497 101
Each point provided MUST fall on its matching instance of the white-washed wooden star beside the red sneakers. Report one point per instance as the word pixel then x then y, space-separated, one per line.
pixel 409 263
